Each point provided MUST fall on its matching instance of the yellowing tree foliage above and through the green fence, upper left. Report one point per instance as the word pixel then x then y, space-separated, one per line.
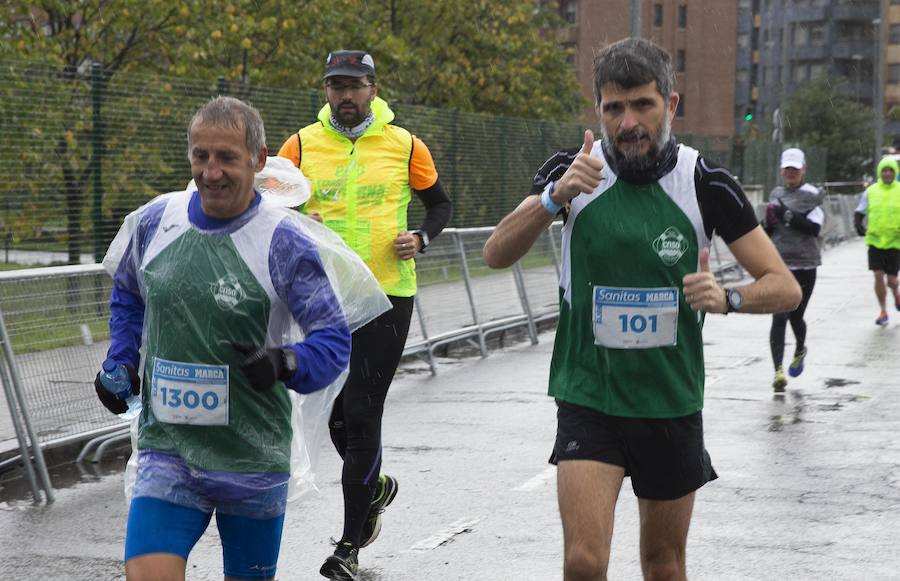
pixel 485 56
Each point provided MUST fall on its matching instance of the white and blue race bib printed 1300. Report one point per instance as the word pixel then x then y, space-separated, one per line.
pixel 189 393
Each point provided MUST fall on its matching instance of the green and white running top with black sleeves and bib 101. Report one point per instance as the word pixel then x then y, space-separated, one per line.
pixel 627 343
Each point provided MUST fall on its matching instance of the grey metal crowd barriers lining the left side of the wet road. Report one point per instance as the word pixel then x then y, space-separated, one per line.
pixel 54 331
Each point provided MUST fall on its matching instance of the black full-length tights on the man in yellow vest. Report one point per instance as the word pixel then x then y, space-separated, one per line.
pixel 355 423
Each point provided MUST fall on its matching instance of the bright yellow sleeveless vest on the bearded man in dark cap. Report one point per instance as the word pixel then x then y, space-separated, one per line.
pixel 362 191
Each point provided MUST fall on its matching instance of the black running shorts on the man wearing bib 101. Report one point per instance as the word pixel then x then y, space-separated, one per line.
pixel 665 458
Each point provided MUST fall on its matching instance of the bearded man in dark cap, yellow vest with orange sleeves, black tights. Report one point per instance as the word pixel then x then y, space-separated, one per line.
pixel 362 171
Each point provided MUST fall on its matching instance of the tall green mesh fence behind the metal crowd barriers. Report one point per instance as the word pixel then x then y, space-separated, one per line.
pixel 82 148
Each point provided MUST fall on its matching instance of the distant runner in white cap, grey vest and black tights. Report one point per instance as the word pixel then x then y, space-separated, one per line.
pixel 794 219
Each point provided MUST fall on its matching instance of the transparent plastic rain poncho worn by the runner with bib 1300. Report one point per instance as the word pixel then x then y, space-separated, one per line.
pixel 172 269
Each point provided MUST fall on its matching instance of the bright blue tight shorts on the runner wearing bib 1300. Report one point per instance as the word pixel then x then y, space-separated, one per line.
pixel 250 546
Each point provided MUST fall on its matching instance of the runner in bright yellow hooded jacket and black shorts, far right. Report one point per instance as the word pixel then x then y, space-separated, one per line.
pixel 881 203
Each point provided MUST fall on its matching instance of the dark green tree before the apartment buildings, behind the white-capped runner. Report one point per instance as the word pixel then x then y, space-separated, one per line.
pixel 822 114
